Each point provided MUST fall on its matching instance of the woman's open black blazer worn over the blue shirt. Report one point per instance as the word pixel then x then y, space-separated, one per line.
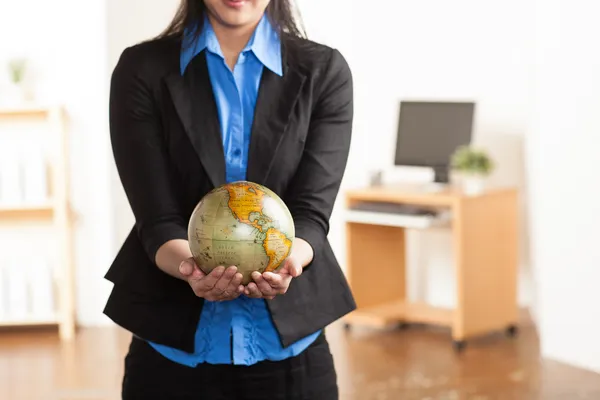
pixel 167 147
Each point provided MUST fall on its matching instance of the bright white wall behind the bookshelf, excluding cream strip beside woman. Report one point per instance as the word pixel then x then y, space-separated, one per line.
pixel 68 52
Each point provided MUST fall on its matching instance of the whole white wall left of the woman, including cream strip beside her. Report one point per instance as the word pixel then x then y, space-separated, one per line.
pixel 73 58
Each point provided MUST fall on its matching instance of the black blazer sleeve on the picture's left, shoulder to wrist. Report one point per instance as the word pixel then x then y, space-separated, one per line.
pixel 140 155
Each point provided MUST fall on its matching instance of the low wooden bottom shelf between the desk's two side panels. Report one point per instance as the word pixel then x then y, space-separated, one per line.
pixel 399 311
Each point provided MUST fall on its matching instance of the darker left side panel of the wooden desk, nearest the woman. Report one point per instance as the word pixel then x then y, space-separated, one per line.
pixel 376 272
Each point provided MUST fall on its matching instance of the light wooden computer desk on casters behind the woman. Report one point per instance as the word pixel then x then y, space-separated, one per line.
pixel 485 247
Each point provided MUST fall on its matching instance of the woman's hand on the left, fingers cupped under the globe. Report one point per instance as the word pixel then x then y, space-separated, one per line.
pixel 219 285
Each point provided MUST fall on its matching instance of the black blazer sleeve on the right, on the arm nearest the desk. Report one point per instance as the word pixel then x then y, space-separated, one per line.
pixel 314 188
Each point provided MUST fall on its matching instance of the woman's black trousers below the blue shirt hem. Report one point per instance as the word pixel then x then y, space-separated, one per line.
pixel 309 376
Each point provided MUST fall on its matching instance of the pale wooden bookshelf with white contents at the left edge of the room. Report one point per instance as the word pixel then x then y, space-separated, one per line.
pixel 54 212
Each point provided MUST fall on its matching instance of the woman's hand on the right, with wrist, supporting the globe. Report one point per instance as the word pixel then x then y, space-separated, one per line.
pixel 270 284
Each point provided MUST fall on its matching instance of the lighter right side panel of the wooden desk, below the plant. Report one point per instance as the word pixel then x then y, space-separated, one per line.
pixel 486 251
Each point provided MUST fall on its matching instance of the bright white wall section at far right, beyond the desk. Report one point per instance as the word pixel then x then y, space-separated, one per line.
pixel 563 168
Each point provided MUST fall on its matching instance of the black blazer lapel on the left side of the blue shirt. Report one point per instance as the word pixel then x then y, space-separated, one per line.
pixel 194 101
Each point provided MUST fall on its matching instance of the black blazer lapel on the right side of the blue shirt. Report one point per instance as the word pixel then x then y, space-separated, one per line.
pixel 277 97
